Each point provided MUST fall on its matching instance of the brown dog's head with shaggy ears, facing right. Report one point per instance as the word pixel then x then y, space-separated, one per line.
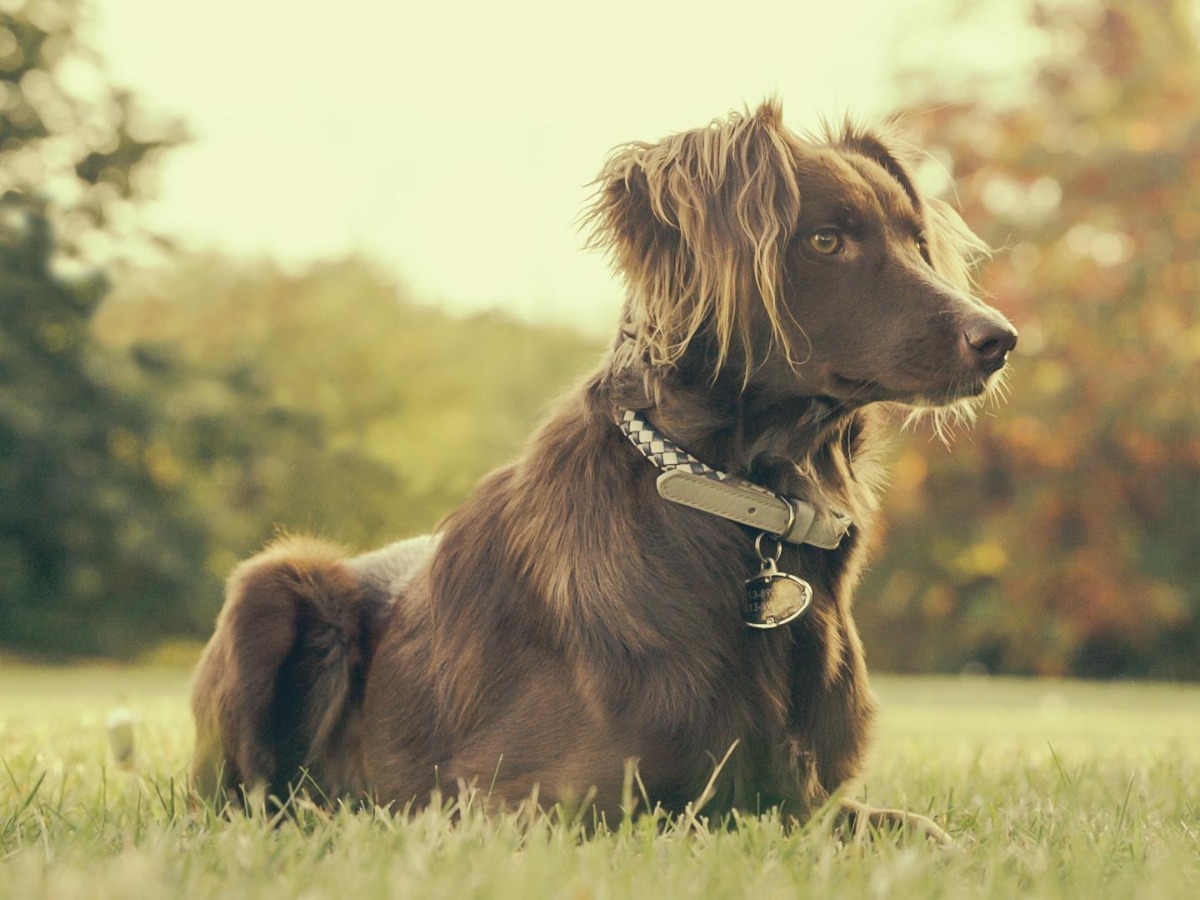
pixel 814 268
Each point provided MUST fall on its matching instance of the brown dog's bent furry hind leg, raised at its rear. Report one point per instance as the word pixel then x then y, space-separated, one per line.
pixel 278 695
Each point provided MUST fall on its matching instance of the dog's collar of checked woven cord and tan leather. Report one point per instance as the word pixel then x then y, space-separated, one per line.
pixel 688 482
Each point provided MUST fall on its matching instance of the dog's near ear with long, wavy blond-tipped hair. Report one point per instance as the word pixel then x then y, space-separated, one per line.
pixel 698 225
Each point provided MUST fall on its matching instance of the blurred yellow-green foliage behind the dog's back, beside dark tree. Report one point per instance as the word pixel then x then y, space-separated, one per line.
pixel 401 407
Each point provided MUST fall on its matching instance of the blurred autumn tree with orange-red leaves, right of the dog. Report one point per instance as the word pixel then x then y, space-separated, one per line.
pixel 1061 536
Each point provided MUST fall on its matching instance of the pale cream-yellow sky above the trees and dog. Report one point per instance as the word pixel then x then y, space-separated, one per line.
pixel 454 142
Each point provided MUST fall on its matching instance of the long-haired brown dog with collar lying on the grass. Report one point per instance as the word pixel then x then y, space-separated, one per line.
pixel 665 575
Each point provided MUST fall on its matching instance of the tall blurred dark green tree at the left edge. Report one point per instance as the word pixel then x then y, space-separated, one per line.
pixel 98 554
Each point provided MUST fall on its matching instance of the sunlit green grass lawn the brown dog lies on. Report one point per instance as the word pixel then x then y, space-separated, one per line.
pixel 1054 790
